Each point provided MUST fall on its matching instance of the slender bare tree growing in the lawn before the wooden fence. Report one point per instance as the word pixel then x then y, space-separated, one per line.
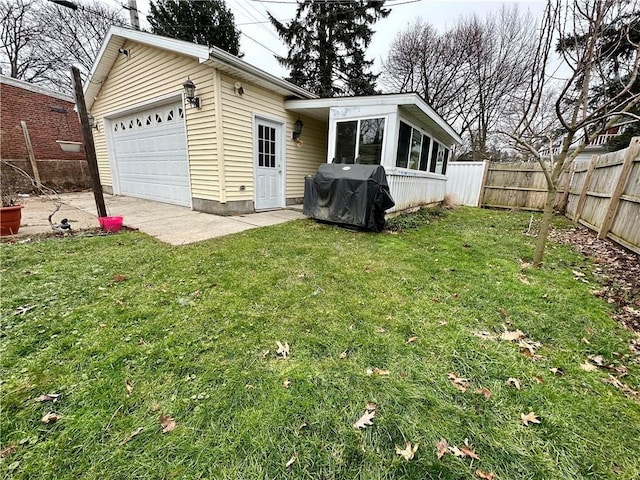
pixel 581 27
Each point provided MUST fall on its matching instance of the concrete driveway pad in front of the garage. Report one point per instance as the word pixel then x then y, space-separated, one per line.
pixel 168 223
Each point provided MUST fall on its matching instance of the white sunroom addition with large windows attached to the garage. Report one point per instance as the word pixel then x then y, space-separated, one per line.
pixel 400 132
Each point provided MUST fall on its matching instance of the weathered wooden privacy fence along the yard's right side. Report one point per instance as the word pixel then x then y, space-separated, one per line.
pixel 602 194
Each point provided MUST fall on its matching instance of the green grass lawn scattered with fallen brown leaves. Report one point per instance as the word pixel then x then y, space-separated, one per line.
pixel 193 330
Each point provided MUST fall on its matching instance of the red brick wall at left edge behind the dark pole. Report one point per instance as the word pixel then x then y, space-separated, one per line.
pixel 48 119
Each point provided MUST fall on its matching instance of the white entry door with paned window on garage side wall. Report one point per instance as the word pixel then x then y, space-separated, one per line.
pixel 269 176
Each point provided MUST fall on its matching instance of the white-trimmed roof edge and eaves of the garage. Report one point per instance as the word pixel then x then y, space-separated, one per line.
pixel 213 56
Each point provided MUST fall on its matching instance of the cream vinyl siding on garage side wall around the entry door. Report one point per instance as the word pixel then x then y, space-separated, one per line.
pixel 237 119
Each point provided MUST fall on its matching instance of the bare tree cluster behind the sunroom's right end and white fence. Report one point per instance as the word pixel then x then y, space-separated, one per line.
pixel 467 73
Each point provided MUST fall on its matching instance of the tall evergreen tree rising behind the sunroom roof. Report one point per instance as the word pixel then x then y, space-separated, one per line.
pixel 327 41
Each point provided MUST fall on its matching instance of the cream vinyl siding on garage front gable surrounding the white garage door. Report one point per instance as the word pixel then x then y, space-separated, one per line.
pixel 149 73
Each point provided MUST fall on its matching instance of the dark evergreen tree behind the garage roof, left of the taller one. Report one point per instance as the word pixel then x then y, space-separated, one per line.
pixel 208 23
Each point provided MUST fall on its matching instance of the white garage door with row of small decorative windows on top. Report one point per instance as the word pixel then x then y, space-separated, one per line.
pixel 151 154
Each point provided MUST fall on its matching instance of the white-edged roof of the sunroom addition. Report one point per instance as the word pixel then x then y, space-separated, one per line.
pixel 412 102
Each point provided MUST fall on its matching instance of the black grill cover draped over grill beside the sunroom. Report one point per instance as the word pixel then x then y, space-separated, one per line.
pixel 355 195
